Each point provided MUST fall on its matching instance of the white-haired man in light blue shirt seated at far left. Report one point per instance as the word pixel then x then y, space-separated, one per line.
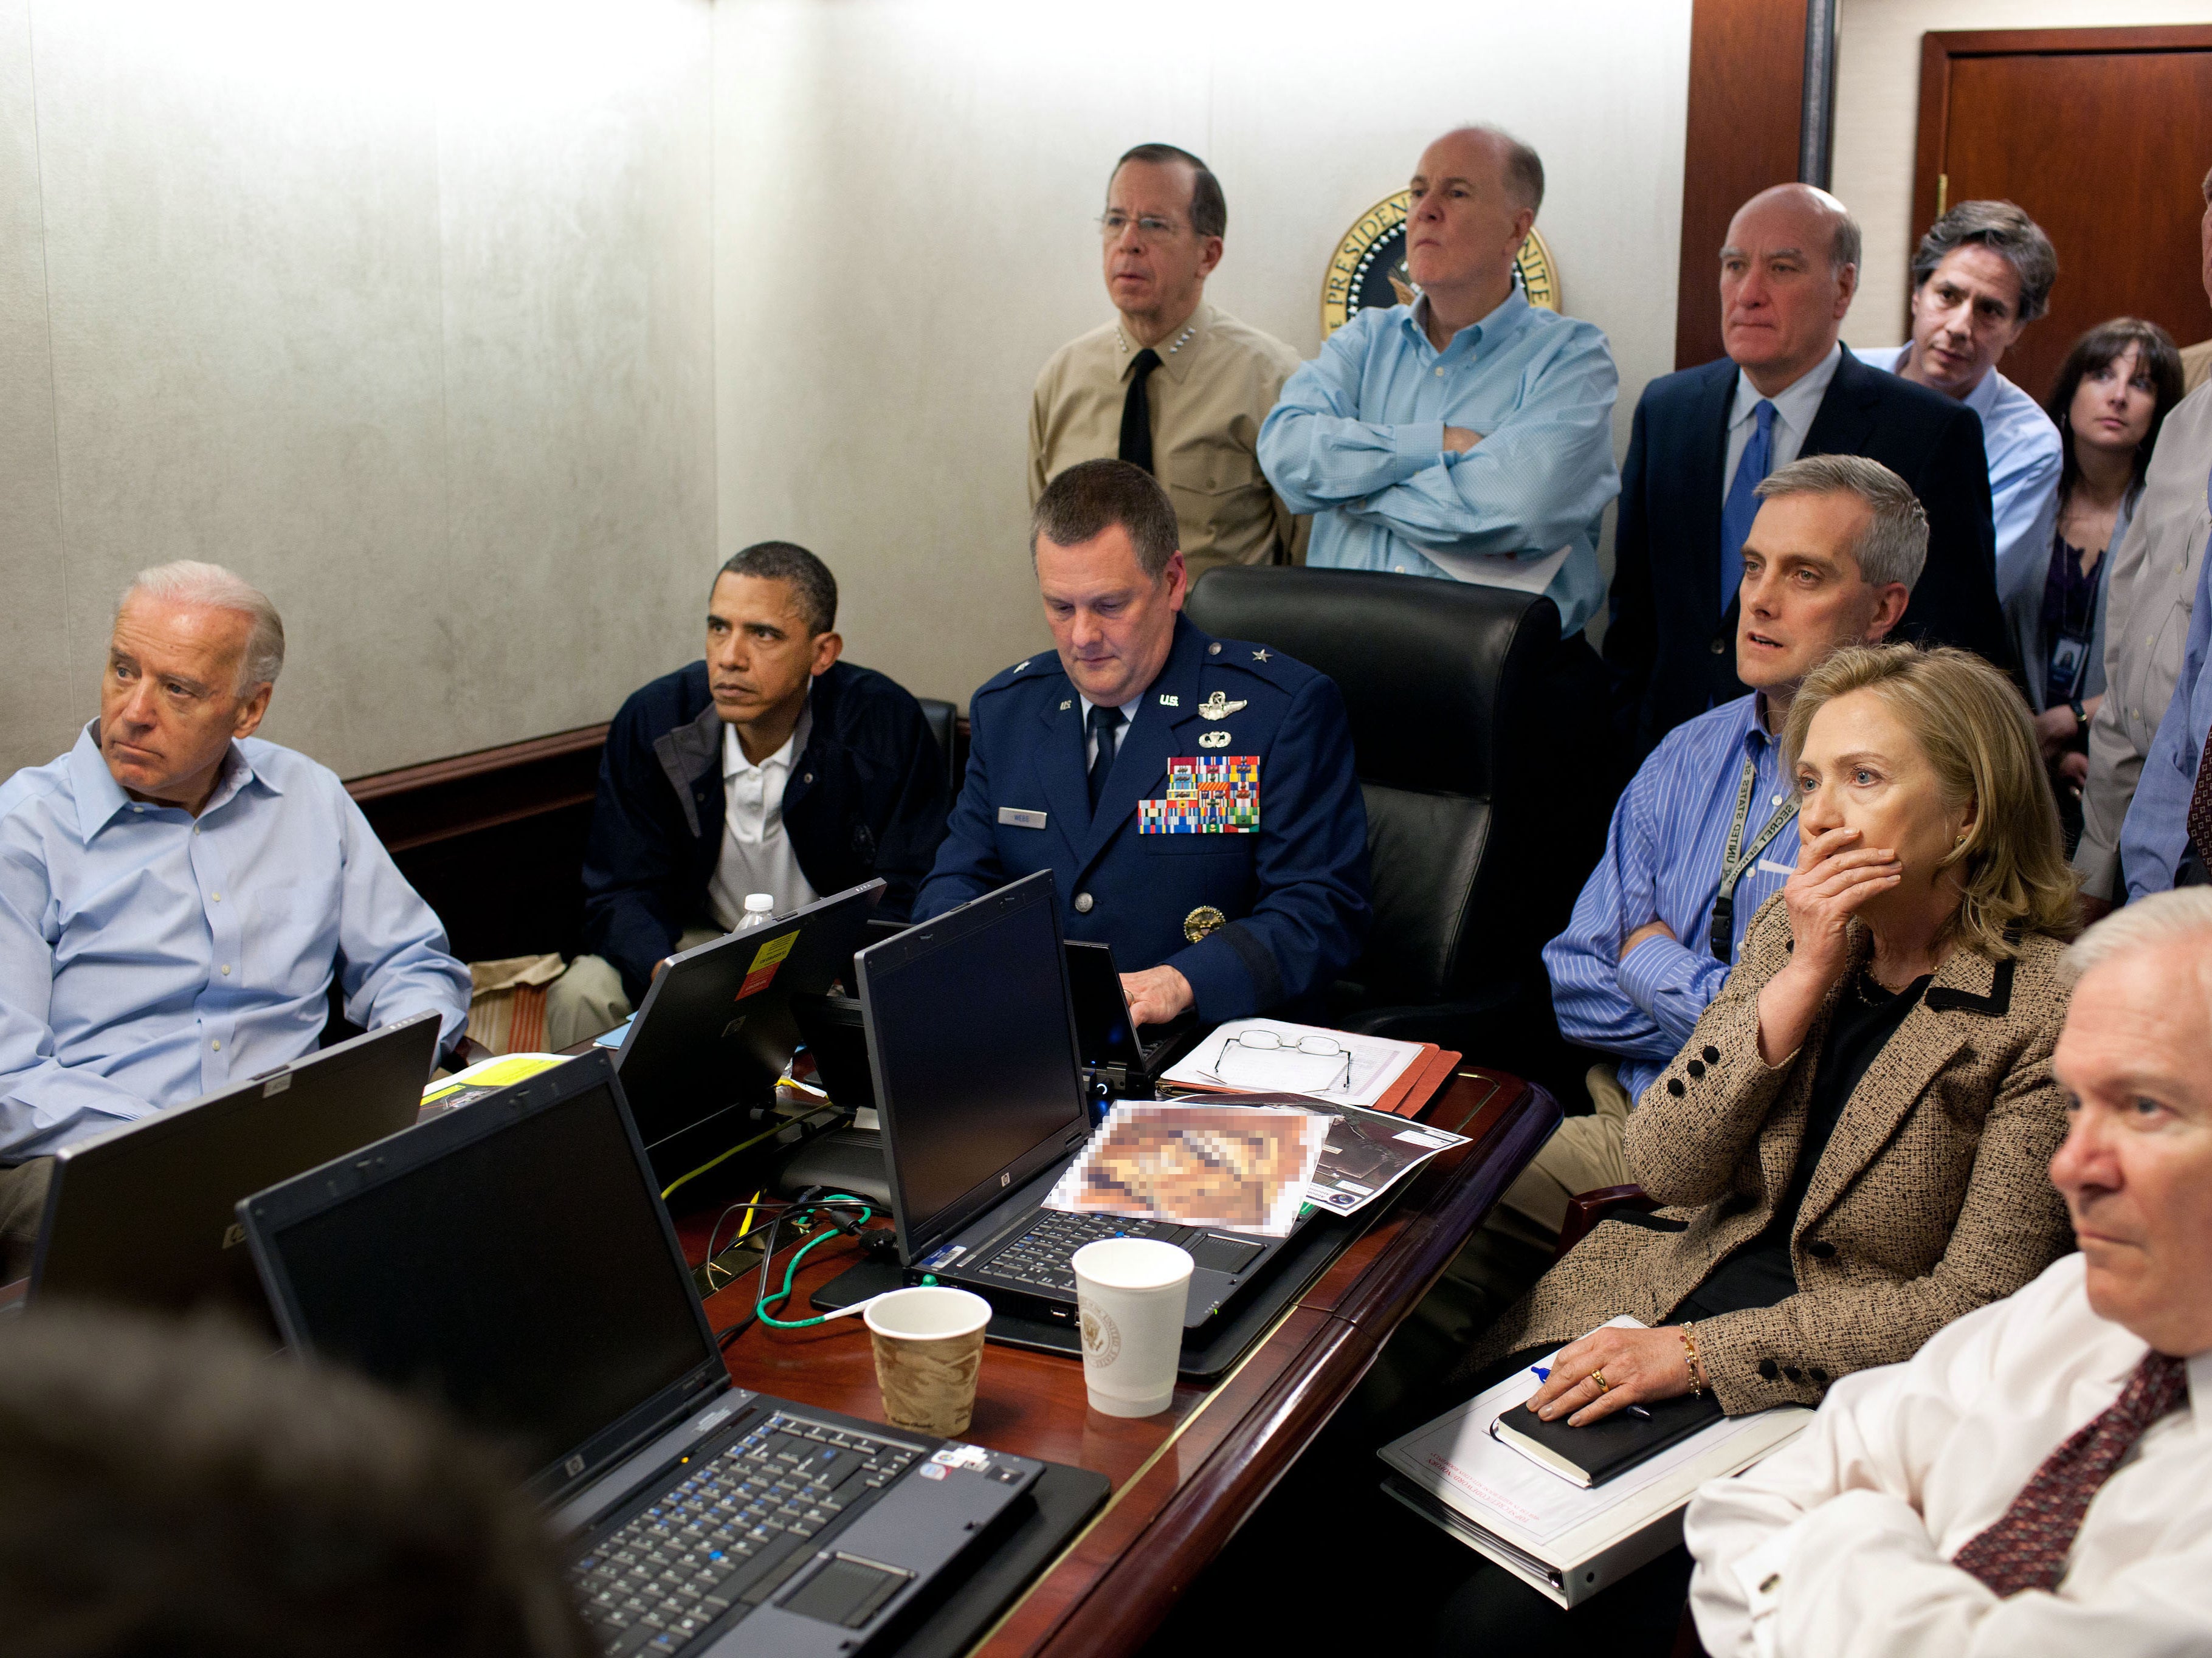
pixel 178 894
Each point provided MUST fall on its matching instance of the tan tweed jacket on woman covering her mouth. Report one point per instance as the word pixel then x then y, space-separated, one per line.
pixel 1932 1197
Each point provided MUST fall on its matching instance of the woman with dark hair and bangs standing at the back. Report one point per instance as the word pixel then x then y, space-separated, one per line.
pixel 2109 403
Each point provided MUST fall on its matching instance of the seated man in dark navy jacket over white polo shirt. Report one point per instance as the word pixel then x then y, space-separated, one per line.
pixel 766 768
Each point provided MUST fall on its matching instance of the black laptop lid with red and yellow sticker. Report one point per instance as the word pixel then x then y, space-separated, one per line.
pixel 718 1025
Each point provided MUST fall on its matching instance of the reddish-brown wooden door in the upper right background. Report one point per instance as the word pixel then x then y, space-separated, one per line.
pixel 2105 136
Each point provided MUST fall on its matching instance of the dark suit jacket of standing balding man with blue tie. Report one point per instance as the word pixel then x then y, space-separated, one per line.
pixel 1671 649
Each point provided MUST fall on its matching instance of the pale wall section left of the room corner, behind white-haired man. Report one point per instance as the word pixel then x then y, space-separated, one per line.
pixel 401 311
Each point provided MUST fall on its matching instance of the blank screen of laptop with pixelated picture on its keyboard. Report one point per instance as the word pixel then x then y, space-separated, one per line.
pixel 972 1045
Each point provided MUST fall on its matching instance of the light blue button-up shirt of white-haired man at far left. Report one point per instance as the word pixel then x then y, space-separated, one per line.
pixel 149 958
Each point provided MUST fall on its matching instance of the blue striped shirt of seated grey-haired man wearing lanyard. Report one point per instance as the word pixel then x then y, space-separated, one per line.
pixel 1665 865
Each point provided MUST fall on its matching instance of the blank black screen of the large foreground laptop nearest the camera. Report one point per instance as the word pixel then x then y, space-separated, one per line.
pixel 510 1261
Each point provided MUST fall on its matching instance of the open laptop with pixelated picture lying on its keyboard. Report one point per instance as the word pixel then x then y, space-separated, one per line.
pixel 981 1093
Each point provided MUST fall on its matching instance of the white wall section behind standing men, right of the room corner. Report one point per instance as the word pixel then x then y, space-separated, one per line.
pixel 904 235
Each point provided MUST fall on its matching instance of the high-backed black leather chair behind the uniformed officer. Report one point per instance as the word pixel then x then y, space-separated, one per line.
pixel 1454 731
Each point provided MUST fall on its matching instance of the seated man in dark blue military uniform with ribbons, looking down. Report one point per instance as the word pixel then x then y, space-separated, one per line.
pixel 1191 795
